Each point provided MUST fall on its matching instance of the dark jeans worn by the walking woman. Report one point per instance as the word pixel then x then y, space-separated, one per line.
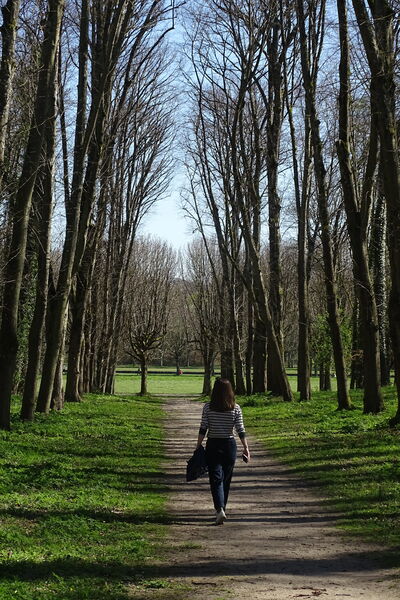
pixel 220 458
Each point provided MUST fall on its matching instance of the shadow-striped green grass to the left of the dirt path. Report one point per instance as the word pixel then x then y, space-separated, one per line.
pixel 82 511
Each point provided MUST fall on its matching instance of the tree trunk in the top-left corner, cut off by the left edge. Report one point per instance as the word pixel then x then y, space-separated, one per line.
pixel 8 35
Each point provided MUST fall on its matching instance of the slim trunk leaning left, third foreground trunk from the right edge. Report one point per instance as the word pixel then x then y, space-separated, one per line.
pixel 320 173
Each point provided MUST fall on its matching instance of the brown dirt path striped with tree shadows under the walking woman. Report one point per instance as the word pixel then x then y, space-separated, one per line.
pixel 278 543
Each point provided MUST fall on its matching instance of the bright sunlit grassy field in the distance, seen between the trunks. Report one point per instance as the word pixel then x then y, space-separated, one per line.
pixel 180 385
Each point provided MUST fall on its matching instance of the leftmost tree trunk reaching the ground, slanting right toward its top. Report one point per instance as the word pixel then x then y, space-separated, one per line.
pixel 21 209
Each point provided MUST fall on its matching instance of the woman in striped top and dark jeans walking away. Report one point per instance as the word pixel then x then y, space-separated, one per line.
pixel 220 417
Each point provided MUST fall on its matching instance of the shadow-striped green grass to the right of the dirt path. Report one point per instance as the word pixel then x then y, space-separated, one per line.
pixel 353 457
